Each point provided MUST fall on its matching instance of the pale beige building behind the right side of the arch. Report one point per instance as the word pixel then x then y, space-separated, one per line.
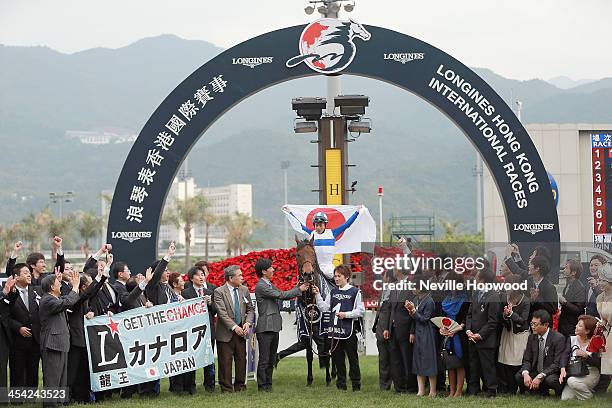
pixel 568 154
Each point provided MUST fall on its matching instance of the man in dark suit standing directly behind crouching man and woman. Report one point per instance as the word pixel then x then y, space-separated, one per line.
pixel 572 302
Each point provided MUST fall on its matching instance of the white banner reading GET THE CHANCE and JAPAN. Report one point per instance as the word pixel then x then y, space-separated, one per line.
pixel 146 344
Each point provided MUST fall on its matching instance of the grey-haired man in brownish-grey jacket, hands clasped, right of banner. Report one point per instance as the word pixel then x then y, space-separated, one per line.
pixel 235 315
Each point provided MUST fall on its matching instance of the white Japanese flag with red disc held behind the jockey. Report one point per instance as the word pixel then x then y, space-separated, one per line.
pixel 350 225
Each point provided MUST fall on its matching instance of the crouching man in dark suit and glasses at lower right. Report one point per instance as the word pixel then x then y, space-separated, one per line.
pixel 542 359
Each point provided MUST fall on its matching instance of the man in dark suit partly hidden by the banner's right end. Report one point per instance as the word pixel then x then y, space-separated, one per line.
pixel 201 288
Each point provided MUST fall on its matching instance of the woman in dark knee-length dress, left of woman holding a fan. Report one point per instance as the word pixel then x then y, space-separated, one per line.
pixel 423 336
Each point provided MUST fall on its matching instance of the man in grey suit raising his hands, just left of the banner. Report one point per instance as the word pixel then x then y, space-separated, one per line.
pixel 54 330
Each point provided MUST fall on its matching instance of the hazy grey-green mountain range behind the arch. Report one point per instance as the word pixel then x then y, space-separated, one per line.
pixel 423 161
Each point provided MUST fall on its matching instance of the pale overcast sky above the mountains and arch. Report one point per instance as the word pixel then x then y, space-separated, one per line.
pixel 520 39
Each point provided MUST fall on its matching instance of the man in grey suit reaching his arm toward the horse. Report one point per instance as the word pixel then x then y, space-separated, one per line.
pixel 269 321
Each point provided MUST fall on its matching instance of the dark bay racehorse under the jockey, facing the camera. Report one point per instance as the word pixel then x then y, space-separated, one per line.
pixel 307 314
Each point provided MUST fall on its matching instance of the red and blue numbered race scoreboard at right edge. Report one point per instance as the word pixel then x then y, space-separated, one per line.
pixel 601 163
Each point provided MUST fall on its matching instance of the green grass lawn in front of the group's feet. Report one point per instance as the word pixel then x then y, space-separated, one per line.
pixel 290 390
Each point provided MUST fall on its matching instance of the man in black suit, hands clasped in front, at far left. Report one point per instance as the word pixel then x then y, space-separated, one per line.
pixel 25 329
